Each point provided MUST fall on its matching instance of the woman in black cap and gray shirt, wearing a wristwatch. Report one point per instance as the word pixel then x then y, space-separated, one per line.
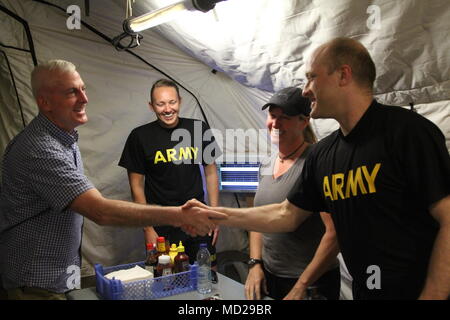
pixel 284 265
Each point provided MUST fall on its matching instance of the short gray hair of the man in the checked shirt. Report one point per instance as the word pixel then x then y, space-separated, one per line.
pixel 39 76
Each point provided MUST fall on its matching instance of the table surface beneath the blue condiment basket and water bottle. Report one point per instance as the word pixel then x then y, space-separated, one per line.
pixel 226 288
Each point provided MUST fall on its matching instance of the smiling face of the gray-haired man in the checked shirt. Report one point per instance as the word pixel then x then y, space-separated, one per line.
pixel 63 101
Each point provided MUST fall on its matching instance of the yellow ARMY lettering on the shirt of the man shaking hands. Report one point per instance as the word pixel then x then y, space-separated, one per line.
pixel 345 186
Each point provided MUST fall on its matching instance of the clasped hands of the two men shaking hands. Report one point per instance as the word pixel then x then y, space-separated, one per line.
pixel 200 218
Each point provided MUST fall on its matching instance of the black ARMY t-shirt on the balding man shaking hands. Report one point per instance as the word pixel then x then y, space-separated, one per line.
pixel 378 183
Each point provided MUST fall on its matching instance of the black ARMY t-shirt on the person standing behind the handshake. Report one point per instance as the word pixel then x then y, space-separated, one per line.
pixel 169 158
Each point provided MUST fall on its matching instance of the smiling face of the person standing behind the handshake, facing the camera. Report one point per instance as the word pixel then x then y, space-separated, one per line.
pixel 166 105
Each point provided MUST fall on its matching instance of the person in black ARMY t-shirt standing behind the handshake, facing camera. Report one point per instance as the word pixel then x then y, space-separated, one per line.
pixel 163 158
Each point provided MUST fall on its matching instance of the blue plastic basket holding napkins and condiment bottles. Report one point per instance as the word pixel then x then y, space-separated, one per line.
pixel 148 289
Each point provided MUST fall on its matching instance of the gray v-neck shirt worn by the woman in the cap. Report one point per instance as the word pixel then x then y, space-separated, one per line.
pixel 286 255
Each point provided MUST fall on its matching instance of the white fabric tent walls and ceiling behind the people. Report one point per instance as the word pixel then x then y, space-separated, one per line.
pixel 229 62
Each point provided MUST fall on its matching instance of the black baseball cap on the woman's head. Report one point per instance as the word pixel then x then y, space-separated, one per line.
pixel 291 101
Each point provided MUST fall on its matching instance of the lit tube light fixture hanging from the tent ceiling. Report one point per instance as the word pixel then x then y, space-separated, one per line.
pixel 132 26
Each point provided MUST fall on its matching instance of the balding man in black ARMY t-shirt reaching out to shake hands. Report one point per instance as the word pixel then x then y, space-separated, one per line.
pixel 384 177
